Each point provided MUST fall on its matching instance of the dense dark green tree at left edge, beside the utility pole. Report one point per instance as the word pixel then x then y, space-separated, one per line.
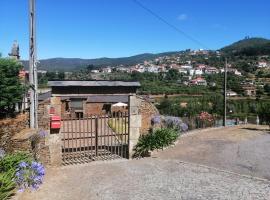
pixel 11 89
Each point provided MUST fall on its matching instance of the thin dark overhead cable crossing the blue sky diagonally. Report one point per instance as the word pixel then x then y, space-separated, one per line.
pixel 169 24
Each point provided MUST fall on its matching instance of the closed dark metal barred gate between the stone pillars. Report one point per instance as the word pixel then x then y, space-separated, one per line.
pixel 92 138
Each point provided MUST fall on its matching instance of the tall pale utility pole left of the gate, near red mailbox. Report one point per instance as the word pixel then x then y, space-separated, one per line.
pixel 33 65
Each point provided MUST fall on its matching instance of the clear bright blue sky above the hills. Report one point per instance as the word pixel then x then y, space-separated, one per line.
pixel 120 28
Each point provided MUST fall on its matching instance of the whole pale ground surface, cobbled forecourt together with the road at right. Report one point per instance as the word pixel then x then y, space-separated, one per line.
pixel 166 176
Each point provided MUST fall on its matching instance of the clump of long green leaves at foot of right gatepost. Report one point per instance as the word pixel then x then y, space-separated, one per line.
pixel 158 139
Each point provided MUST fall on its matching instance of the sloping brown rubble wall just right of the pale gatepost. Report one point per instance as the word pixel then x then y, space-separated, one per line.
pixel 147 110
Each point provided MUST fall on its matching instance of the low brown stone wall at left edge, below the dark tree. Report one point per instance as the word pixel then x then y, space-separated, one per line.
pixel 10 127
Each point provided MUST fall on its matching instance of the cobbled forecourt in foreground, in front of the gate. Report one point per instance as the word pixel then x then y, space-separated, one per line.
pixel 147 179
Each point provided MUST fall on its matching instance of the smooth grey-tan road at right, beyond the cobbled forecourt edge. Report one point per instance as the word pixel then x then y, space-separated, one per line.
pixel 244 149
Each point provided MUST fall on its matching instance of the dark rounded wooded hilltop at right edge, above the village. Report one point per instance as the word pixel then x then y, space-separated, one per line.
pixel 249 47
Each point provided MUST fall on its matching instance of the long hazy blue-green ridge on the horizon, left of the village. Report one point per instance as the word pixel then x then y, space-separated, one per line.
pixel 70 64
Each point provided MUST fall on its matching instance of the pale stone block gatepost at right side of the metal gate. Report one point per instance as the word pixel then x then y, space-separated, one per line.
pixel 135 123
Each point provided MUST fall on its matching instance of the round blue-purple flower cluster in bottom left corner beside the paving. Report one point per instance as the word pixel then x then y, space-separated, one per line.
pixel 29 175
